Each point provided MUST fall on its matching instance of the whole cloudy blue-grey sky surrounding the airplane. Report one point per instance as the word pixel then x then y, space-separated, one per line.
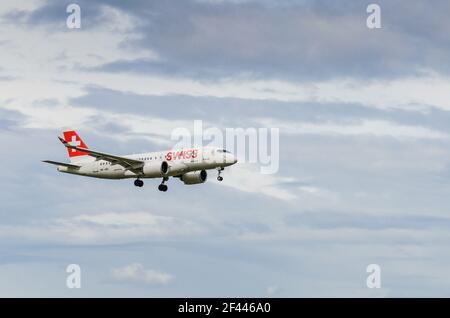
pixel 364 172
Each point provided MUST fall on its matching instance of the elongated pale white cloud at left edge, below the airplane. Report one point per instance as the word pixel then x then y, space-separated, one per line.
pixel 103 228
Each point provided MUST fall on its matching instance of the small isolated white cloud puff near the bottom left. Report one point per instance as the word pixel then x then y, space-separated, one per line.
pixel 136 272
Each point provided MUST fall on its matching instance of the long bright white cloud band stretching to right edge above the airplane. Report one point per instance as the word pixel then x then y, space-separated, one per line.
pixel 416 94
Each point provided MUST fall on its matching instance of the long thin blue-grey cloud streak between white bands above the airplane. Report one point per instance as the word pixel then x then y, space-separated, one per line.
pixel 222 111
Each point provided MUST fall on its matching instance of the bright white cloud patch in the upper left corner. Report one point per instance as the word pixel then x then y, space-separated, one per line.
pixel 50 50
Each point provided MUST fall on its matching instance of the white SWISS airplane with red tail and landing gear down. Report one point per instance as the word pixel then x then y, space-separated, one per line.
pixel 189 165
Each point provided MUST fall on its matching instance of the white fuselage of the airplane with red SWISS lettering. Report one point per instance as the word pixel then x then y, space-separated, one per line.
pixel 179 162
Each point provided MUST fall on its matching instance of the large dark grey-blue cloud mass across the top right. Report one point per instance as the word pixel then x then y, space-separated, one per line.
pixel 296 40
